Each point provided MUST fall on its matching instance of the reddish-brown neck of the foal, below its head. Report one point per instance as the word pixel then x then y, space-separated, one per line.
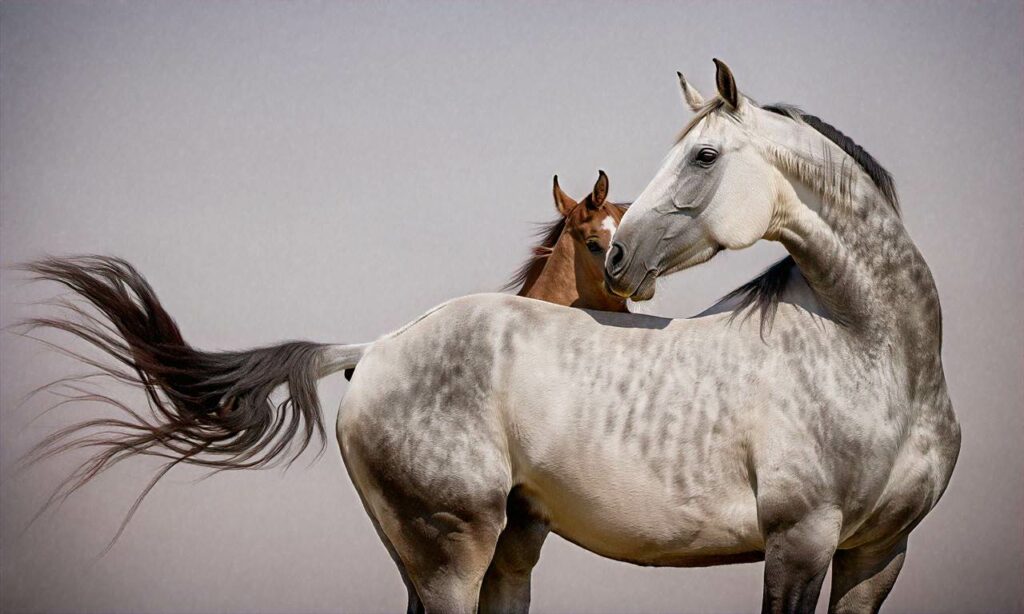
pixel 566 280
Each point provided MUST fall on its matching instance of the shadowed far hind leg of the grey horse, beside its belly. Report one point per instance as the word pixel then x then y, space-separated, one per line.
pixel 507 584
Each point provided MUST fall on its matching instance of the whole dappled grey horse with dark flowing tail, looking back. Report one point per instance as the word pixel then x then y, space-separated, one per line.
pixel 803 422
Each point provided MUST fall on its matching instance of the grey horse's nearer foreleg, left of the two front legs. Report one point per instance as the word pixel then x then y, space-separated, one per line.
pixel 797 557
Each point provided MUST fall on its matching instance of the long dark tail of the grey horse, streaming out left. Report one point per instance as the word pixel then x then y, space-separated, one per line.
pixel 207 409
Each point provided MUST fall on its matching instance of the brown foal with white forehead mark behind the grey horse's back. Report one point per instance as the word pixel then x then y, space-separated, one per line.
pixel 568 269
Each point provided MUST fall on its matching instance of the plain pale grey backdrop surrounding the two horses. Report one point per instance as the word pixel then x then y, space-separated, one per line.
pixel 330 171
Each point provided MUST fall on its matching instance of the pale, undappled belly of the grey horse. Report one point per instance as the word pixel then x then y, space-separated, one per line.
pixel 619 507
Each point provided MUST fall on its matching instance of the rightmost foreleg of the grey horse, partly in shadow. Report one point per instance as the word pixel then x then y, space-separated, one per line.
pixel 864 577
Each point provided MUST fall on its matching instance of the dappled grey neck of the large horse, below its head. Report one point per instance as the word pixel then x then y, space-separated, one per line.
pixel 860 260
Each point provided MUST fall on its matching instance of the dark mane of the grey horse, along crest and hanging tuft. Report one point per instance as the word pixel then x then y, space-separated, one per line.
pixel 764 292
